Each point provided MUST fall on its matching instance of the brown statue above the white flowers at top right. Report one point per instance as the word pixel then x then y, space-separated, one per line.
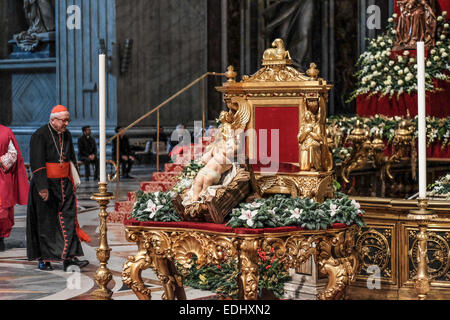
pixel 417 22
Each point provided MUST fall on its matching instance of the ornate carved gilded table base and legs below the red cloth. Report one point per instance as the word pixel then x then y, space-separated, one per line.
pixel 160 248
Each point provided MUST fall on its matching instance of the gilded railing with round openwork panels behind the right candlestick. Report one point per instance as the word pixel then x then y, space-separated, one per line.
pixel 388 248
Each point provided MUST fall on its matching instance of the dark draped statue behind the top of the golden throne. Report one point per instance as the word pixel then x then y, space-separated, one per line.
pixel 290 20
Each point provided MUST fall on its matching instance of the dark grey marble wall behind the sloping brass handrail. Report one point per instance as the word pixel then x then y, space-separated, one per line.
pixel 170 50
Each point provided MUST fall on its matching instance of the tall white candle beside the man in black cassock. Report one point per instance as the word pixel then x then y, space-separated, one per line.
pixel 102 115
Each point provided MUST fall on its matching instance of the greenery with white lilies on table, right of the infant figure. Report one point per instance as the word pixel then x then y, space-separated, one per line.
pixel 282 211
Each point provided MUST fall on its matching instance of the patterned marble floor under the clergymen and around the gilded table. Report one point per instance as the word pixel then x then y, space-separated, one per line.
pixel 22 280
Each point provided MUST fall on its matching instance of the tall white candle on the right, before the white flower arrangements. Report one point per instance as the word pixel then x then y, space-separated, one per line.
pixel 422 120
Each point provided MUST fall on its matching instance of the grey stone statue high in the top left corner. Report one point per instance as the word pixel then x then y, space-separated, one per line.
pixel 40 15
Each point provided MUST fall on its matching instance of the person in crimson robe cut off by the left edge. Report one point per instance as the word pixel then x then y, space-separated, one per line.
pixel 13 182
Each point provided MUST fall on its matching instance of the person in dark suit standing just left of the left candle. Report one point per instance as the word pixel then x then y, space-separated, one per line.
pixel 87 152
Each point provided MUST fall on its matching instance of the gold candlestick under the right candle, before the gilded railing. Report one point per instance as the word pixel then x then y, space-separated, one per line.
pixel 422 216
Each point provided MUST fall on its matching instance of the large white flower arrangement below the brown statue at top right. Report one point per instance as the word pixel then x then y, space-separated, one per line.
pixel 379 73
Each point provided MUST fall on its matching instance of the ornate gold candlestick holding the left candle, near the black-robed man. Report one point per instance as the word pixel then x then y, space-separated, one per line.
pixel 103 275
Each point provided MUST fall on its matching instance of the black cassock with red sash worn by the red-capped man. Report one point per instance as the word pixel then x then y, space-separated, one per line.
pixel 51 225
